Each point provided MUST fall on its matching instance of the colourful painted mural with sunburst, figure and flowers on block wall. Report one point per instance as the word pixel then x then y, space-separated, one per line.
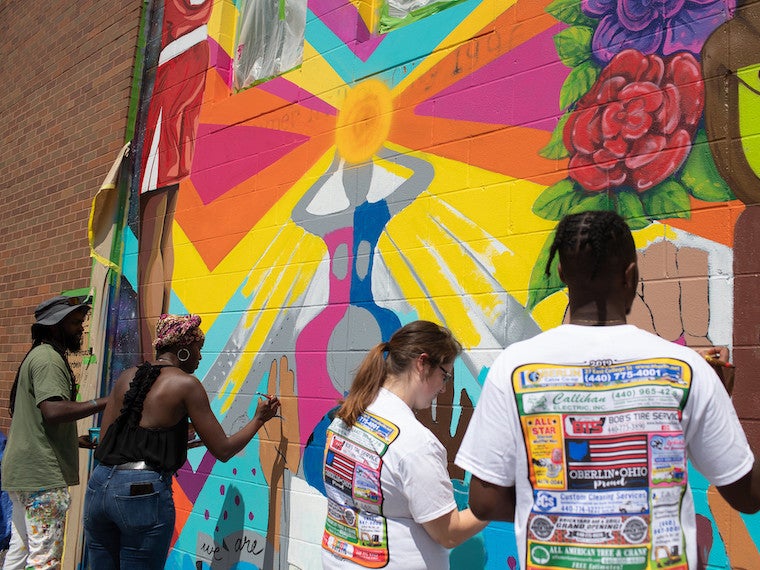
pixel 419 173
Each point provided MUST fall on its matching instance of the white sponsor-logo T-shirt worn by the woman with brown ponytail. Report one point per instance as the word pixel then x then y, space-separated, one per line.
pixel 384 477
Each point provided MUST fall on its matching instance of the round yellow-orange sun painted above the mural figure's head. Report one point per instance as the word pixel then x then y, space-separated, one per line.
pixel 364 121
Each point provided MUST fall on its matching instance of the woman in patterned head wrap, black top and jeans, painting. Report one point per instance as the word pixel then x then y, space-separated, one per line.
pixel 129 508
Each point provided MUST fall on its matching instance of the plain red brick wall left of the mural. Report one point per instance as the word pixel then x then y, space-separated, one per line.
pixel 66 70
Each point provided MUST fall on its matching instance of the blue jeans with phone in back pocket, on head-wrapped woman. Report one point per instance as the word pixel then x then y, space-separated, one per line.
pixel 127 525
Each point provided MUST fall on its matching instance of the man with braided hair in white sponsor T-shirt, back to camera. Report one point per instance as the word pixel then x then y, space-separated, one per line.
pixel 582 434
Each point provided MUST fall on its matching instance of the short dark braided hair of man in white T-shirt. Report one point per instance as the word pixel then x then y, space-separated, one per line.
pixel 602 233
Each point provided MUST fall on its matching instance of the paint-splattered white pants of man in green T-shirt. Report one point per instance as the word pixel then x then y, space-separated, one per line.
pixel 39 522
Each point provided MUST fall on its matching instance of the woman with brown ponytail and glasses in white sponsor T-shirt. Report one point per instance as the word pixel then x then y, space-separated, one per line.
pixel 390 499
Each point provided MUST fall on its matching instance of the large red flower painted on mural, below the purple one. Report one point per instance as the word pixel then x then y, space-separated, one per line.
pixel 635 126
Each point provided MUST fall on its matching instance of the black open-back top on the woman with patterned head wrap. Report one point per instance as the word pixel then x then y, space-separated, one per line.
pixel 163 449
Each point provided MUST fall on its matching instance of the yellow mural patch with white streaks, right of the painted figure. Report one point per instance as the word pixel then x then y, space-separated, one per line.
pixel 453 252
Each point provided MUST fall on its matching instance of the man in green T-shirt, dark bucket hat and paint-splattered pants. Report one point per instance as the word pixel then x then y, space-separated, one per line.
pixel 42 458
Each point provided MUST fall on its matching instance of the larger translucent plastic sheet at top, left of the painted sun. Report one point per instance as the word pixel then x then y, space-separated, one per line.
pixel 270 39
